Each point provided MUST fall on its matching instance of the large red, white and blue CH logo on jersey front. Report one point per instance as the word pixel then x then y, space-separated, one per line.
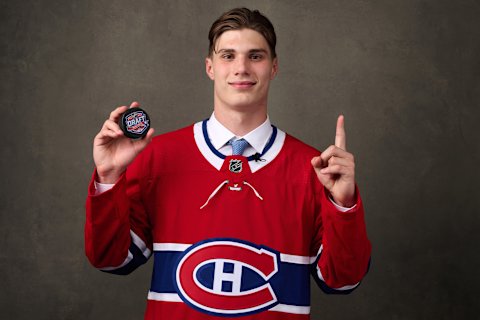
pixel 226 277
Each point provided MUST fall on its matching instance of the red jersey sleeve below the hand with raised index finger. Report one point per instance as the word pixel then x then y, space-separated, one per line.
pixel 341 244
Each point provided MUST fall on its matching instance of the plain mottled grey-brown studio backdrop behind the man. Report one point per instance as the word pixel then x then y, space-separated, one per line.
pixel 405 73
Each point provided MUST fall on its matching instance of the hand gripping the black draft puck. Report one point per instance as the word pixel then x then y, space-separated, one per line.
pixel 112 151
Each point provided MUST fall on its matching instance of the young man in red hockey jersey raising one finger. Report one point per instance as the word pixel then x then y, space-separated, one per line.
pixel 236 213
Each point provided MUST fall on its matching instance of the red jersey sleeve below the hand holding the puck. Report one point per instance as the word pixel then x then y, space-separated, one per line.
pixel 117 229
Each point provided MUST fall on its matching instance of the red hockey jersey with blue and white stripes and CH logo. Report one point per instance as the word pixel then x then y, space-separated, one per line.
pixel 231 236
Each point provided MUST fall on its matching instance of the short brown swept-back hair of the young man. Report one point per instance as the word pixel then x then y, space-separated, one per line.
pixel 242 18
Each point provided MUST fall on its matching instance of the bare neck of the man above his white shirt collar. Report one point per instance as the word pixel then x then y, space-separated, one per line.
pixel 240 122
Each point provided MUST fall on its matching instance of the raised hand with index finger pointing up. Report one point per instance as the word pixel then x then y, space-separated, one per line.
pixel 335 168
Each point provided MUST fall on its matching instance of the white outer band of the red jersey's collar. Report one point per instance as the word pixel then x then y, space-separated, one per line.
pixel 218 162
